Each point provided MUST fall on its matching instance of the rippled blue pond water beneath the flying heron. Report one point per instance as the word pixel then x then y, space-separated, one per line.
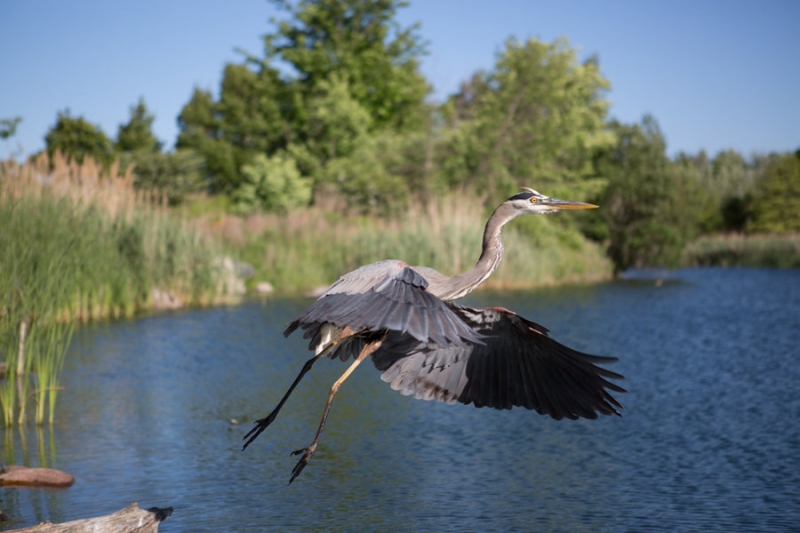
pixel 709 440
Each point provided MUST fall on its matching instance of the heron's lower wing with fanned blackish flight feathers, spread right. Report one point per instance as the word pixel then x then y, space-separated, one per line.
pixel 517 364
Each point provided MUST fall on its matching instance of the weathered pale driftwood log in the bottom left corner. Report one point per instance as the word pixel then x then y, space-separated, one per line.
pixel 129 520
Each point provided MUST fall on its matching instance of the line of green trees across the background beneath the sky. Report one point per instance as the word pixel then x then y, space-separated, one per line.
pixel 335 113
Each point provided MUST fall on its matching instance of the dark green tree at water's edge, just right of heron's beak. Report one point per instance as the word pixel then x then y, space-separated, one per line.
pixel 651 208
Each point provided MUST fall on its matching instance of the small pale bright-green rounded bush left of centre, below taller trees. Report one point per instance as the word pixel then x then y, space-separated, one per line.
pixel 271 183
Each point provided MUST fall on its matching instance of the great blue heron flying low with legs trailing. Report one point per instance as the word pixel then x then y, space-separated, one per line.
pixel 429 347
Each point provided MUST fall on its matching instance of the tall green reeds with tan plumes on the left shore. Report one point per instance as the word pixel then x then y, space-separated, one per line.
pixel 77 244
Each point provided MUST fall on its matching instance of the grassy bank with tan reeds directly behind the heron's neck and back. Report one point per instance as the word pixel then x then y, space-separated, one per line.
pixel 307 248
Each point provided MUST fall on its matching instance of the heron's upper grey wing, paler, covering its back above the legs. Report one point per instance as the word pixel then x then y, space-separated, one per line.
pixel 387 295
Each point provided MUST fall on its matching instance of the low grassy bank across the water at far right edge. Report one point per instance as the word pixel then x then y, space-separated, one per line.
pixel 758 250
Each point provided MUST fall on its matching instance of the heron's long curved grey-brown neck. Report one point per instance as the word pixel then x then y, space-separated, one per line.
pixel 491 255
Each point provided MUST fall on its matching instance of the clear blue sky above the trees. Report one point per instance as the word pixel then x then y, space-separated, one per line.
pixel 716 74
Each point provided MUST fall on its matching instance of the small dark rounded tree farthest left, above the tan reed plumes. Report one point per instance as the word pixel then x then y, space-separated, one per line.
pixel 77 138
